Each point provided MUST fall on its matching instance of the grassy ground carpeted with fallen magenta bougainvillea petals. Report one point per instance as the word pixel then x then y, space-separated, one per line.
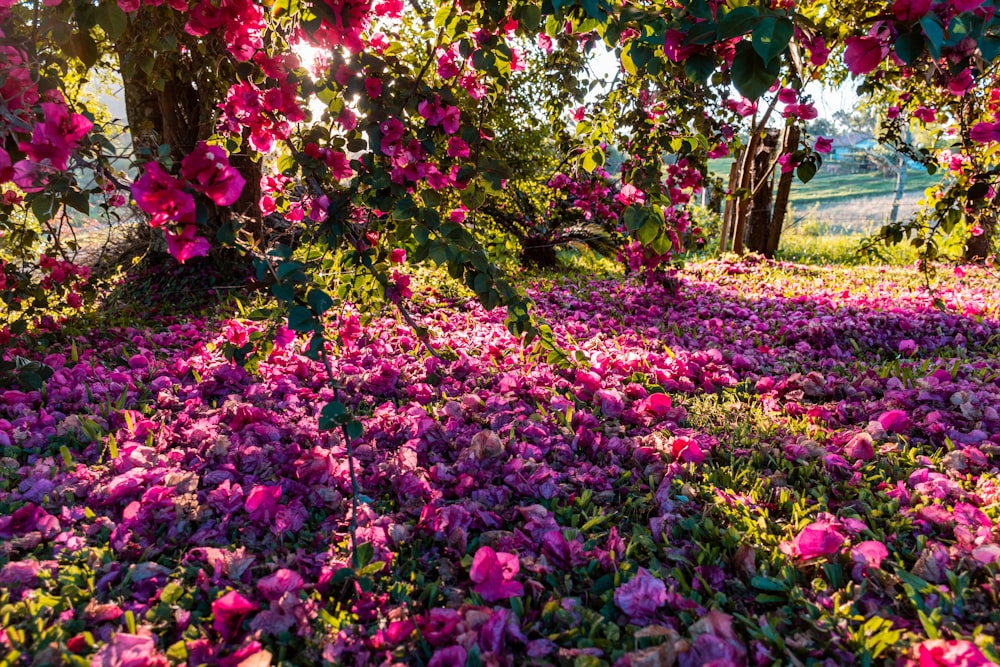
pixel 770 464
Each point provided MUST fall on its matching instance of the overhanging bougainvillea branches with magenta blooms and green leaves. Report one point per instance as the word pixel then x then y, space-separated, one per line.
pixel 384 138
